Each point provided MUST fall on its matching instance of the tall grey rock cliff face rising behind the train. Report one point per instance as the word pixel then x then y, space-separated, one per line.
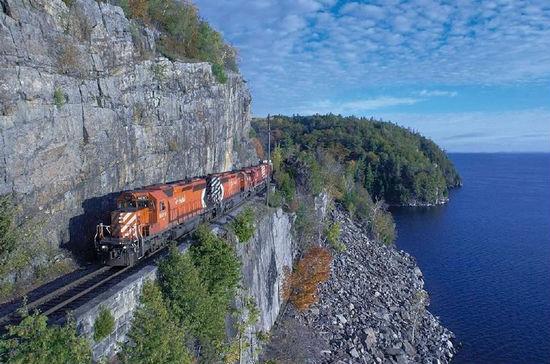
pixel 87 110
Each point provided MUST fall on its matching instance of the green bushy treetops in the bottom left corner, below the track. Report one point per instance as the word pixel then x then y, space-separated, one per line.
pixel 33 341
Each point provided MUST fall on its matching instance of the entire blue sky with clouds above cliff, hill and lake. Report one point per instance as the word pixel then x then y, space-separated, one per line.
pixel 474 76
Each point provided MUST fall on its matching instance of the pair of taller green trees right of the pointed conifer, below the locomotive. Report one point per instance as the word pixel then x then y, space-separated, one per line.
pixel 199 286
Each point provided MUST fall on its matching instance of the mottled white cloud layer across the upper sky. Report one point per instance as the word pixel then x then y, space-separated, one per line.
pixel 328 50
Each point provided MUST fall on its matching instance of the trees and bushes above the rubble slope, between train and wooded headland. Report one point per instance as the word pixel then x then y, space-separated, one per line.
pixel 301 173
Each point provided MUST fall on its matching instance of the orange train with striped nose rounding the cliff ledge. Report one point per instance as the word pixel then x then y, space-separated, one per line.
pixel 147 218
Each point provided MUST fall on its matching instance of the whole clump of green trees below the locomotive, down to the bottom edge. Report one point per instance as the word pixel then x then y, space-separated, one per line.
pixel 190 301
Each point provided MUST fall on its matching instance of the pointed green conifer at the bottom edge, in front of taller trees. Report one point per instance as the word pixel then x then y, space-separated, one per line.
pixel 156 336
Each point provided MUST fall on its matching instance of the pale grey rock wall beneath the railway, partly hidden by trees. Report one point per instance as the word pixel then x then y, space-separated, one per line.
pixel 263 260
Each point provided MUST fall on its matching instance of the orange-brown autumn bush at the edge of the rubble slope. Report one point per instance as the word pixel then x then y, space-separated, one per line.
pixel 302 284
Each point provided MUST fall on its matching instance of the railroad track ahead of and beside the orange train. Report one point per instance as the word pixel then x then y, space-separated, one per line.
pixel 60 301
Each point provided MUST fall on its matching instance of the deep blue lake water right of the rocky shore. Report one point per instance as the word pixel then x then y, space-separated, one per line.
pixel 486 257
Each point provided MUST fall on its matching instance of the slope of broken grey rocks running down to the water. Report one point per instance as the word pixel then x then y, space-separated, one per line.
pixel 372 310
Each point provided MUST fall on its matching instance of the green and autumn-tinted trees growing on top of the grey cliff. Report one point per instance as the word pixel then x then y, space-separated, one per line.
pixel 184 35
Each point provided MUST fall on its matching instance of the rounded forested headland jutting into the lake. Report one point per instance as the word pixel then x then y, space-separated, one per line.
pixel 392 163
